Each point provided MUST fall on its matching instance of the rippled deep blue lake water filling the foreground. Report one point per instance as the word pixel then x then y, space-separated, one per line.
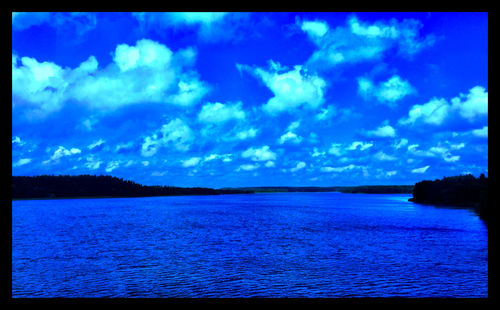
pixel 262 245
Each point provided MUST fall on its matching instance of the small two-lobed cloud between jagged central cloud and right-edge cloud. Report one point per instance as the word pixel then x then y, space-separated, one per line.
pixel 388 92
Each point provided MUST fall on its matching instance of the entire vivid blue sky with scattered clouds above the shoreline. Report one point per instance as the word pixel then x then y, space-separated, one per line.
pixel 233 99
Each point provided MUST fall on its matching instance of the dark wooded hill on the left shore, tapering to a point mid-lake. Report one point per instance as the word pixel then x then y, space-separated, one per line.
pixel 65 186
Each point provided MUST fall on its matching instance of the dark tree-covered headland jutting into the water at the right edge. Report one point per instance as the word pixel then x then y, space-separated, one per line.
pixel 462 191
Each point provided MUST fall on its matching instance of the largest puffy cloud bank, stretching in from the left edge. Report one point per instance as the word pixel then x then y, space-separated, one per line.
pixel 147 72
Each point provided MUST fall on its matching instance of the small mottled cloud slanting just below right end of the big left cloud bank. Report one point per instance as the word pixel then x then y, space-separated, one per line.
pixel 175 133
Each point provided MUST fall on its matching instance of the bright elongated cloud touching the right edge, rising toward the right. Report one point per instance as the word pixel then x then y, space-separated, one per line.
pixel 438 111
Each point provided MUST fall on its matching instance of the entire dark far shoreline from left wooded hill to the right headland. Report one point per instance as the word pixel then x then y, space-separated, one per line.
pixel 92 186
